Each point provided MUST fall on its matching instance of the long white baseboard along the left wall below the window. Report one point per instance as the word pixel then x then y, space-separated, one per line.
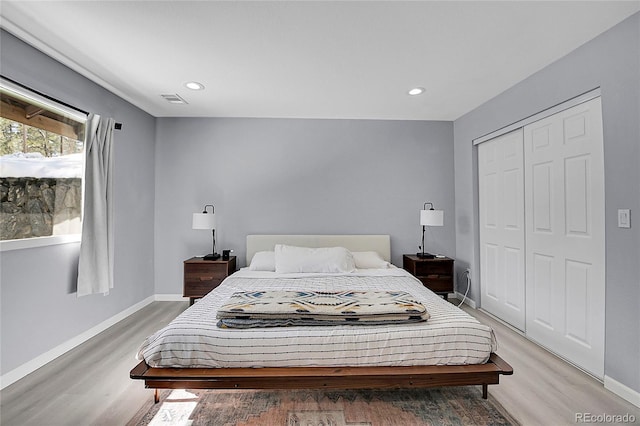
pixel 31 366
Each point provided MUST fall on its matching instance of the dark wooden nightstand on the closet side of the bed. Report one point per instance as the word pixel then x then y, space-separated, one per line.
pixel 436 274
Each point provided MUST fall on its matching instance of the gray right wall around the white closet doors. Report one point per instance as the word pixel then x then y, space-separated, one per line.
pixel 611 62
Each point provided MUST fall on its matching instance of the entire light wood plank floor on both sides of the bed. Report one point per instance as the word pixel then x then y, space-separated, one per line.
pixel 90 385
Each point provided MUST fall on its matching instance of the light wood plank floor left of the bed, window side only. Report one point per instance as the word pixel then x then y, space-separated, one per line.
pixel 90 384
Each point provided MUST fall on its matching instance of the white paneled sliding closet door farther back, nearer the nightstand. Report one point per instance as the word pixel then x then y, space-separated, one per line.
pixel 502 254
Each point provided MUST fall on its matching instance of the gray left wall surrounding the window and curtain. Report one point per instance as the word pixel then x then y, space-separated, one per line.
pixel 39 307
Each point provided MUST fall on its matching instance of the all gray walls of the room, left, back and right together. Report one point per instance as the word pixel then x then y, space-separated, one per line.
pixel 312 176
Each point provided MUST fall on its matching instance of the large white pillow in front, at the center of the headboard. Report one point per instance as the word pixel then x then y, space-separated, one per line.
pixel 304 259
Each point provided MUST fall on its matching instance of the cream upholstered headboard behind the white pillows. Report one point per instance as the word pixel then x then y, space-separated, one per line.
pixel 378 243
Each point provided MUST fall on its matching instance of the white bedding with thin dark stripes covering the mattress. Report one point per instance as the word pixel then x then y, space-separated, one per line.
pixel 449 337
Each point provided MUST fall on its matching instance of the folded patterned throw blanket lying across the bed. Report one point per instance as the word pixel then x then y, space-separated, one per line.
pixel 293 308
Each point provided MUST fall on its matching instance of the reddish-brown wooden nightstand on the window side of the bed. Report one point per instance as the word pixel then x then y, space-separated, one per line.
pixel 201 276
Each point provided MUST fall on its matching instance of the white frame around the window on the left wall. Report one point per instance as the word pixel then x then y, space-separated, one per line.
pixel 19 91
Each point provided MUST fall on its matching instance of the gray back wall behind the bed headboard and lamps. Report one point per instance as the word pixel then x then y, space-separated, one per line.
pixel 300 177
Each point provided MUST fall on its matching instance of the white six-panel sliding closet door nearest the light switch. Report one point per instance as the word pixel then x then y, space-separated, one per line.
pixel 564 199
